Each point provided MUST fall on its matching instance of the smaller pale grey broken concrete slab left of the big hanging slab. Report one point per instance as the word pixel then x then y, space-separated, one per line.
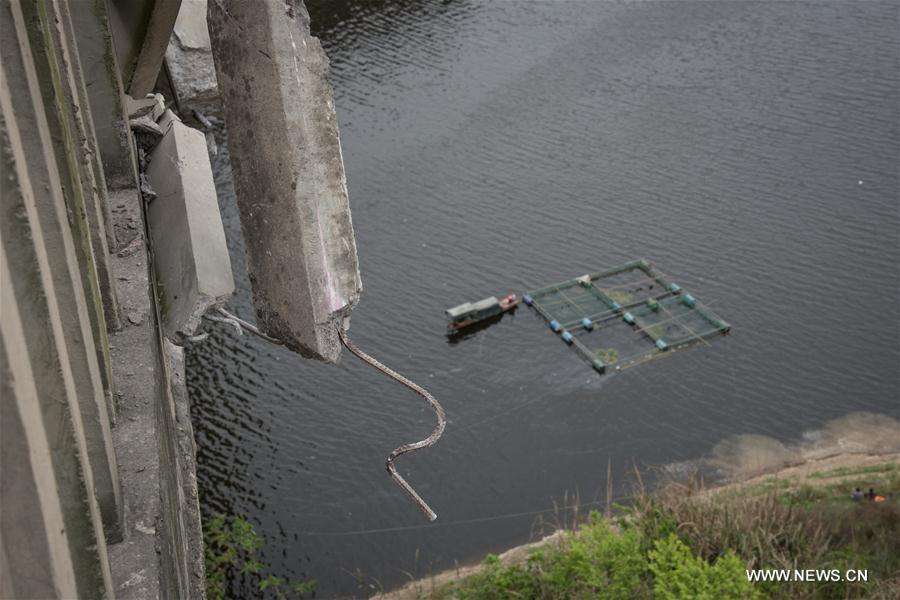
pixel 191 257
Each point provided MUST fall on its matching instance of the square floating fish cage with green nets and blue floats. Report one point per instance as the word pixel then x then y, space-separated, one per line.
pixel 625 316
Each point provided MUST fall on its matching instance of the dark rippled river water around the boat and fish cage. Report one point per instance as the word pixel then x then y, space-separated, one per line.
pixel 748 149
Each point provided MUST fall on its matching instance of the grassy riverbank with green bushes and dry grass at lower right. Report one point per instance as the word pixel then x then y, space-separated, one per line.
pixel 684 541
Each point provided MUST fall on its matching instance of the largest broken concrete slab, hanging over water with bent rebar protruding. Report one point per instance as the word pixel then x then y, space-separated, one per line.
pixel 288 170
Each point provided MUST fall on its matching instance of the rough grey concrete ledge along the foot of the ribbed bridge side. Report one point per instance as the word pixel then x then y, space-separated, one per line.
pixel 161 556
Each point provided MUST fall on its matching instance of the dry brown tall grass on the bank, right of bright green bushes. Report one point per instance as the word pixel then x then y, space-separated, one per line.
pixel 801 528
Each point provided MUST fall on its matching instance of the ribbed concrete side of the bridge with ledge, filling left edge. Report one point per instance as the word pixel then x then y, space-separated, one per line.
pixel 59 473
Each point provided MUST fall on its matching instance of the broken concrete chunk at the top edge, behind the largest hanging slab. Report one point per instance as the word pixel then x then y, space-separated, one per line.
pixel 189 60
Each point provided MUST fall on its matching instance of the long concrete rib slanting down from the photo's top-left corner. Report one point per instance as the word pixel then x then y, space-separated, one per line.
pixel 46 211
